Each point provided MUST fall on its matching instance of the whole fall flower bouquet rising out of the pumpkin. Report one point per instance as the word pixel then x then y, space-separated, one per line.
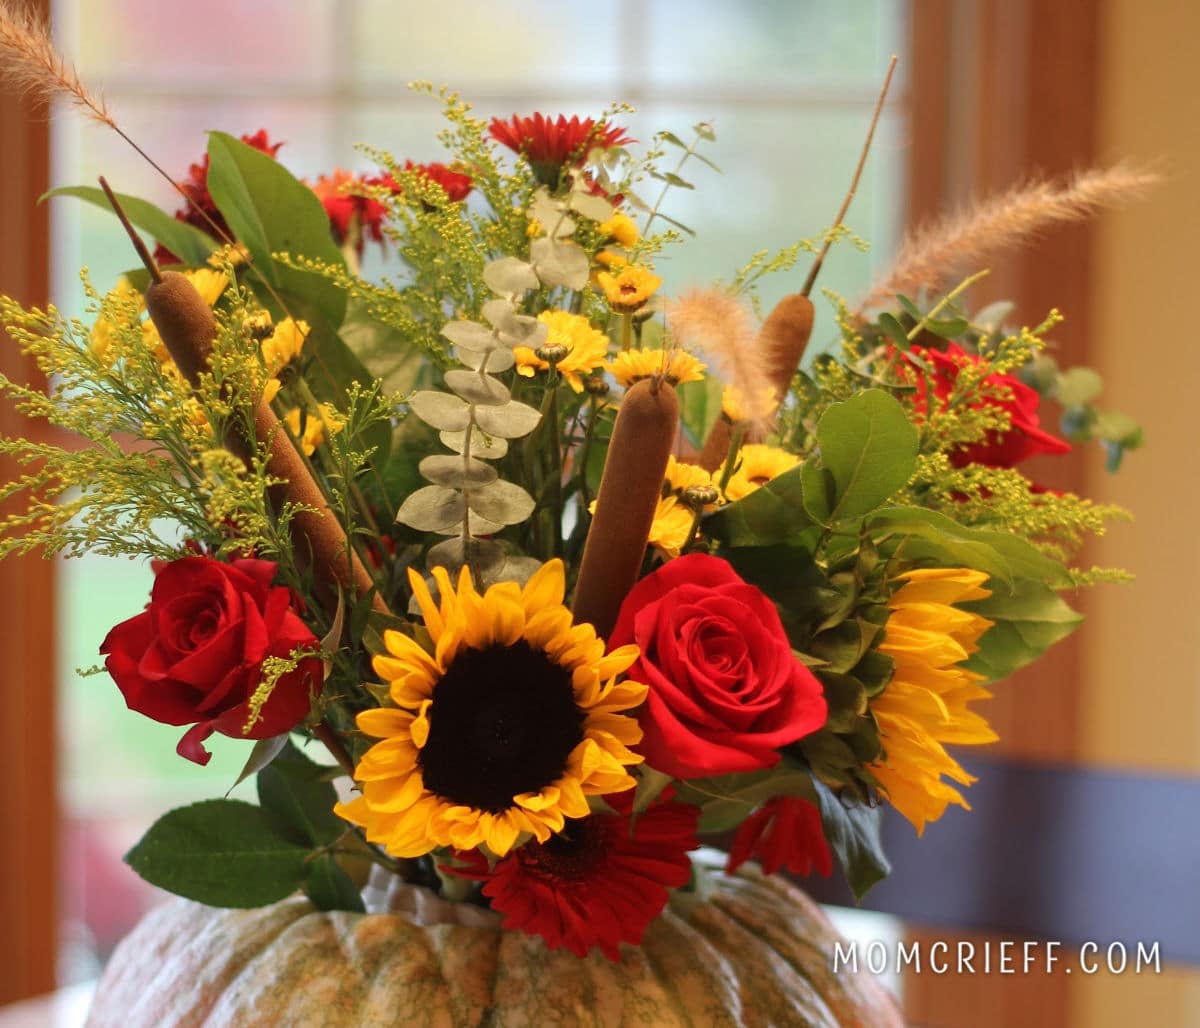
pixel 565 575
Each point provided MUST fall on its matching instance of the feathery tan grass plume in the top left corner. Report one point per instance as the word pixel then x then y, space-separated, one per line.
pixel 31 63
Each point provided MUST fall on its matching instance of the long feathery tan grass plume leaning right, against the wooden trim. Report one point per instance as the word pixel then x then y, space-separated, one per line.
pixel 932 255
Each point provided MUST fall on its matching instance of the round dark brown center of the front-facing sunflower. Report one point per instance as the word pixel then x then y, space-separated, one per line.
pixel 503 723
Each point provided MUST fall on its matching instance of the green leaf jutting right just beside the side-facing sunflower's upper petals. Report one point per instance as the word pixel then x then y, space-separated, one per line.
pixel 1027 623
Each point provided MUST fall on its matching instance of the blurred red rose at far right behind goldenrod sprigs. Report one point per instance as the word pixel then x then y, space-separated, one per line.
pixel 1025 437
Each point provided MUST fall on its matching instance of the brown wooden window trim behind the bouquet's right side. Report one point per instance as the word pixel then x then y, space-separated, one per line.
pixel 1016 85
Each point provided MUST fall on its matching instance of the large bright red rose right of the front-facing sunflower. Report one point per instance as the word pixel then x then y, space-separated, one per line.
pixel 727 690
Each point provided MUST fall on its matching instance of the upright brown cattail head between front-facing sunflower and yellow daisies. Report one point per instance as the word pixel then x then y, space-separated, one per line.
pixel 643 440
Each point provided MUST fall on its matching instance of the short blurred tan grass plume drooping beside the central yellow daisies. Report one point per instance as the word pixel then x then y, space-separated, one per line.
pixel 722 327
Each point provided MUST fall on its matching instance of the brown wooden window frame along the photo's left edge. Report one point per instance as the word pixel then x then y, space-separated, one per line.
pixel 28 730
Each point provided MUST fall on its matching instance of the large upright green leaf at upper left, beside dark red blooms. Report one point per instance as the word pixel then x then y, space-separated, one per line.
pixel 272 212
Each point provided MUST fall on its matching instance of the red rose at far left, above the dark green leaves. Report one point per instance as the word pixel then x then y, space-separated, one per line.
pixel 195 656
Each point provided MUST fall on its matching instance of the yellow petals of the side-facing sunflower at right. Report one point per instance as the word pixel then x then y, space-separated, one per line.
pixel 926 704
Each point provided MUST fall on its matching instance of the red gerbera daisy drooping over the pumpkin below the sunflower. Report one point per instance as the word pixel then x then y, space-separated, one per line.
pixel 599 882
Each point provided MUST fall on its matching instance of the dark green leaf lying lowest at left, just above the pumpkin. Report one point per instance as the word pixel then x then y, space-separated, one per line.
pixel 224 853
